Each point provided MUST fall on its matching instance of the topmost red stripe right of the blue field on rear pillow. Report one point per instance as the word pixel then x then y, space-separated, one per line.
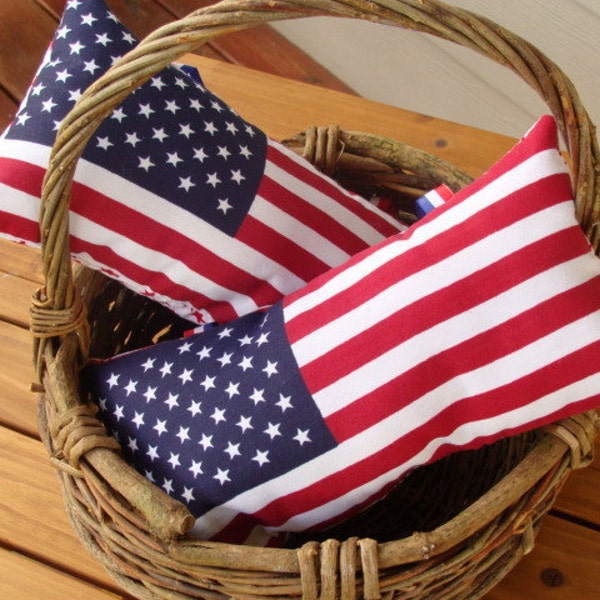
pixel 316 180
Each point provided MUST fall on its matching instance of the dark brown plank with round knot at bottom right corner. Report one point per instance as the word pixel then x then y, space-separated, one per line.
pixel 566 555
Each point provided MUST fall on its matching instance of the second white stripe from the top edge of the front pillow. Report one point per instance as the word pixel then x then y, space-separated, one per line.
pixel 432 279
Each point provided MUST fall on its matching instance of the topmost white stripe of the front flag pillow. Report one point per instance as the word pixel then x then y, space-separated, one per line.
pixel 547 162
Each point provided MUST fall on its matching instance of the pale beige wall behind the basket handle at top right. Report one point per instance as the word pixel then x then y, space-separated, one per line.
pixel 434 77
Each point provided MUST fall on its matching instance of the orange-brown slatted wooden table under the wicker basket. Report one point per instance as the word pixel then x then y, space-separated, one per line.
pixel 40 557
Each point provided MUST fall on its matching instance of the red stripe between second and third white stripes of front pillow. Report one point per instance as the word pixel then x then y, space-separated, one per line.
pixel 441 305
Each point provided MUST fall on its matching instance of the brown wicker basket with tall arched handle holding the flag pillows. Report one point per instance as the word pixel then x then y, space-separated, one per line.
pixel 479 511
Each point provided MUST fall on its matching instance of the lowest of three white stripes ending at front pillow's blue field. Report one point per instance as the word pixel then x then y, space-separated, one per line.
pixel 448 334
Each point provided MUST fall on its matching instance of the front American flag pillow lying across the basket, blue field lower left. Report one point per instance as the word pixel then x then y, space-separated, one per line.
pixel 481 321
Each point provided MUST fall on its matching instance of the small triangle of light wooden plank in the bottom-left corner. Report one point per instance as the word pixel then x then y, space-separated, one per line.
pixel 22 578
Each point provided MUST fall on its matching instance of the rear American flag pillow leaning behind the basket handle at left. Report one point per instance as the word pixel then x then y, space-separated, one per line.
pixel 176 195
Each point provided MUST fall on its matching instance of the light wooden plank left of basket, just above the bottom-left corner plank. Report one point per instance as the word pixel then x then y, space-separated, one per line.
pixel 33 520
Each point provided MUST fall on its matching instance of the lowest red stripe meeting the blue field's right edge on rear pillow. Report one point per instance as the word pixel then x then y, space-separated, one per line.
pixel 274 245
